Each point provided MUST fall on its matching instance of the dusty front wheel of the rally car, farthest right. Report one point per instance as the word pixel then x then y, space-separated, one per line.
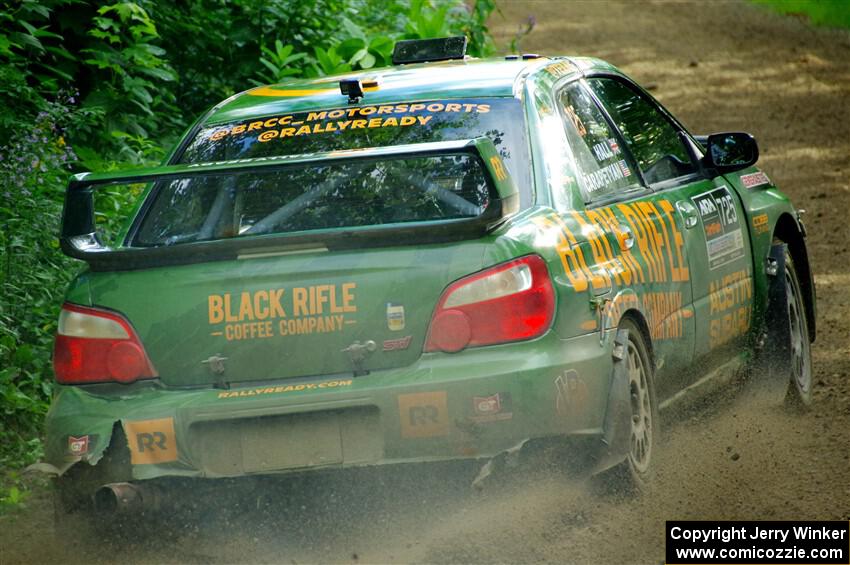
pixel 799 393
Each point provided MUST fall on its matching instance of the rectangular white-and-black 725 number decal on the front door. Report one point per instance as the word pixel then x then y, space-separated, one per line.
pixel 724 241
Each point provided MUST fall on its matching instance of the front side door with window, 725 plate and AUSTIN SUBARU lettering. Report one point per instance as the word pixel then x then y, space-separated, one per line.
pixel 708 212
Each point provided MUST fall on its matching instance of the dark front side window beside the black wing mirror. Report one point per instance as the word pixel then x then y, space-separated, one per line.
pixel 650 136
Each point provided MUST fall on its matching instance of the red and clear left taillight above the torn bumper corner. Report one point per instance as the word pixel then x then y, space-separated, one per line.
pixel 94 346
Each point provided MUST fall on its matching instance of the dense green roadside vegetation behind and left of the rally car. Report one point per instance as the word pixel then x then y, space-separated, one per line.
pixel 92 86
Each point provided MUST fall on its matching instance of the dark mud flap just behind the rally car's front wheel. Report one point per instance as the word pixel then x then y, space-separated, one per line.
pixel 774 357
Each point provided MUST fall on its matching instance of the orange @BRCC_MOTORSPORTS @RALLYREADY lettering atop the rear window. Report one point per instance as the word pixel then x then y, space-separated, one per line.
pixel 341 119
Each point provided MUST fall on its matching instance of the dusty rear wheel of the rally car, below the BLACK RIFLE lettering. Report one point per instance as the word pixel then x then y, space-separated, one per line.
pixel 635 473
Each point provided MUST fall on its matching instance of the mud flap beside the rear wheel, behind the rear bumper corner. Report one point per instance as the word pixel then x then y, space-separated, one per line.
pixel 617 427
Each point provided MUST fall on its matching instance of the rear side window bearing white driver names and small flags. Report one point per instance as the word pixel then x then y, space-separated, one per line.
pixel 604 170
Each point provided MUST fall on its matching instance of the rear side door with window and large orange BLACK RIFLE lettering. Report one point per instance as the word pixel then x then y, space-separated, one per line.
pixel 650 272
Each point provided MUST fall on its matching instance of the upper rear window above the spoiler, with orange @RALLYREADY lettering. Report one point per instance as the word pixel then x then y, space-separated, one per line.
pixel 354 127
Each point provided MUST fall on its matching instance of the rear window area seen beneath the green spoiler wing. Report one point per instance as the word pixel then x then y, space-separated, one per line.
pixel 324 195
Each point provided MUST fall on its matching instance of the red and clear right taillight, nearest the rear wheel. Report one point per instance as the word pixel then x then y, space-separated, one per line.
pixel 513 301
